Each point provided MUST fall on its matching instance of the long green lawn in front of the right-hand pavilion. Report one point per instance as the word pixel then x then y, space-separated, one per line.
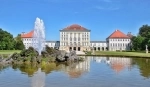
pixel 129 54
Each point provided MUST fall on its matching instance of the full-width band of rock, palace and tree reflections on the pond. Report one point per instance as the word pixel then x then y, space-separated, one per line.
pixel 75 70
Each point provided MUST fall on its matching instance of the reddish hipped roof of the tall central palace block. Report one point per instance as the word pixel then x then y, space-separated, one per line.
pixel 75 27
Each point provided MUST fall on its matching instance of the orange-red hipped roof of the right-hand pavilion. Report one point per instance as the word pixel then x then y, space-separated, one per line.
pixel 118 34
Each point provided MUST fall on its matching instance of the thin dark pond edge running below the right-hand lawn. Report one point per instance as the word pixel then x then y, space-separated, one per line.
pixel 117 56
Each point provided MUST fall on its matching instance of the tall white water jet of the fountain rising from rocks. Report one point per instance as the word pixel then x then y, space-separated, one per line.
pixel 39 35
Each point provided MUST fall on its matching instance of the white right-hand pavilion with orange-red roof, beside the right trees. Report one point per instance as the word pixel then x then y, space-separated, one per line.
pixel 118 41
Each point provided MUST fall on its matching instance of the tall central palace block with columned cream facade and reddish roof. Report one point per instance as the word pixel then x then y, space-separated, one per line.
pixel 75 37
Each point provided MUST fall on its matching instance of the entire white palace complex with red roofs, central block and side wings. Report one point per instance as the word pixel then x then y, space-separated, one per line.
pixel 76 37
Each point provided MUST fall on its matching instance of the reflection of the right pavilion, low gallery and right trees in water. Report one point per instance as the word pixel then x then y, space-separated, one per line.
pixel 119 64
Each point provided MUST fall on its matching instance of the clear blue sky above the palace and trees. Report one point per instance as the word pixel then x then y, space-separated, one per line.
pixel 102 17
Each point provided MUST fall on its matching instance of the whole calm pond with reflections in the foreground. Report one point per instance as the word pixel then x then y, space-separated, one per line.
pixel 93 72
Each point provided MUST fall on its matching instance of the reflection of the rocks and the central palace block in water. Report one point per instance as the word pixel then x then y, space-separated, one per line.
pixel 74 70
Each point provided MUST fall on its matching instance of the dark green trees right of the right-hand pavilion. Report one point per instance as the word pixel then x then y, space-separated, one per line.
pixel 139 42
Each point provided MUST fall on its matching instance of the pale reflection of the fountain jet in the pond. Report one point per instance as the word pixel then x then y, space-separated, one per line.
pixel 38 79
